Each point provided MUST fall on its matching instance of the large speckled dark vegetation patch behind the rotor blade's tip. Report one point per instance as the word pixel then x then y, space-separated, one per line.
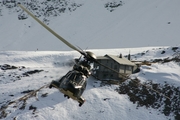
pixel 43 9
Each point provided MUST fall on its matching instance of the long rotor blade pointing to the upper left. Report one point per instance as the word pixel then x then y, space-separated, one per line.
pixel 50 30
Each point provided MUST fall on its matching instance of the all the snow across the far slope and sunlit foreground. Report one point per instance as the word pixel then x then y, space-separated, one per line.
pixel 130 28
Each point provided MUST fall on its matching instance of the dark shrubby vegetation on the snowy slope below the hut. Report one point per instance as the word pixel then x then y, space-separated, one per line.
pixel 142 96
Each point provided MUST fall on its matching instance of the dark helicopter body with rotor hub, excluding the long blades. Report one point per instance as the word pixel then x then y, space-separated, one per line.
pixel 73 84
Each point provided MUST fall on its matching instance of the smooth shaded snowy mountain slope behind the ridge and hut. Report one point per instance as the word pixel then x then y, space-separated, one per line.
pixel 127 23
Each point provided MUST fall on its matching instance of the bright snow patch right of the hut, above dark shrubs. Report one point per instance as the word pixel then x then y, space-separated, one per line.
pixel 161 73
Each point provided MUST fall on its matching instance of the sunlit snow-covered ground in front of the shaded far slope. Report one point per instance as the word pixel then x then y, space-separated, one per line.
pixel 102 102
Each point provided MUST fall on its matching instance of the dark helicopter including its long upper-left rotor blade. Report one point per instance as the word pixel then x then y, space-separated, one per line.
pixel 73 84
